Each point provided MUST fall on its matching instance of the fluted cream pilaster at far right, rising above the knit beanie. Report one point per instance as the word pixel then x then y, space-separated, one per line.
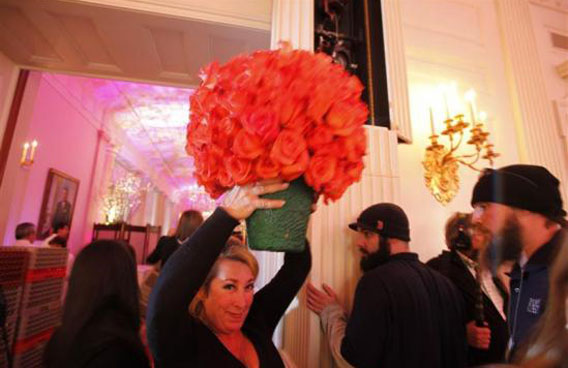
pixel 538 138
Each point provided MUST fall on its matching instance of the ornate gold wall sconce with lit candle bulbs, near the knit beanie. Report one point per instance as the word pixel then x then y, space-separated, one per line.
pixel 442 160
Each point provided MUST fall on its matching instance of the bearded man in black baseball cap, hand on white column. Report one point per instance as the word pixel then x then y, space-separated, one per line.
pixel 404 313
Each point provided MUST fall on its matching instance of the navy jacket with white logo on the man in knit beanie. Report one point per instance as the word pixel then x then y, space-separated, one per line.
pixel 529 291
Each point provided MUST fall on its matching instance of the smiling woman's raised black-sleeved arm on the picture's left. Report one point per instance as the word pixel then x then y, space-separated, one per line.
pixel 180 279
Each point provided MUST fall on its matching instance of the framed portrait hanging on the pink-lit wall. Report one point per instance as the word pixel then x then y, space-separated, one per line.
pixel 58 203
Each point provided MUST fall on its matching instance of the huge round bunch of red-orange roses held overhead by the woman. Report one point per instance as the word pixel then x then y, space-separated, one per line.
pixel 281 113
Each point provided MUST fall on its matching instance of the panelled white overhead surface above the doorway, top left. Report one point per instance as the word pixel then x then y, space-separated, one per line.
pixel 96 40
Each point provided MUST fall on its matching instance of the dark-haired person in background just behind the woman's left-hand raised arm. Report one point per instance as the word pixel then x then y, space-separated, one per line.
pixel 188 222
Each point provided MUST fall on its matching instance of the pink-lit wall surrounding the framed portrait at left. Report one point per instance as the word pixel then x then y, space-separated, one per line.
pixel 67 139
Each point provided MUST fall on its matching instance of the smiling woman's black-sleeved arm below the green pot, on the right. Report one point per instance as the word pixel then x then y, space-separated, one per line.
pixel 271 301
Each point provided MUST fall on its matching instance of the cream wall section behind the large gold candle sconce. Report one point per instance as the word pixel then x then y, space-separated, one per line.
pixel 450 40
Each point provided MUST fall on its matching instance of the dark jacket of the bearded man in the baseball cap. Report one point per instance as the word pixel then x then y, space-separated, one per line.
pixel 405 315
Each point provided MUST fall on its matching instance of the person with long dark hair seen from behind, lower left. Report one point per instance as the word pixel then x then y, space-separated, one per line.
pixel 100 324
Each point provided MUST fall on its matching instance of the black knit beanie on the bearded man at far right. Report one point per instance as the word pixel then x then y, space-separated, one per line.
pixel 529 187
